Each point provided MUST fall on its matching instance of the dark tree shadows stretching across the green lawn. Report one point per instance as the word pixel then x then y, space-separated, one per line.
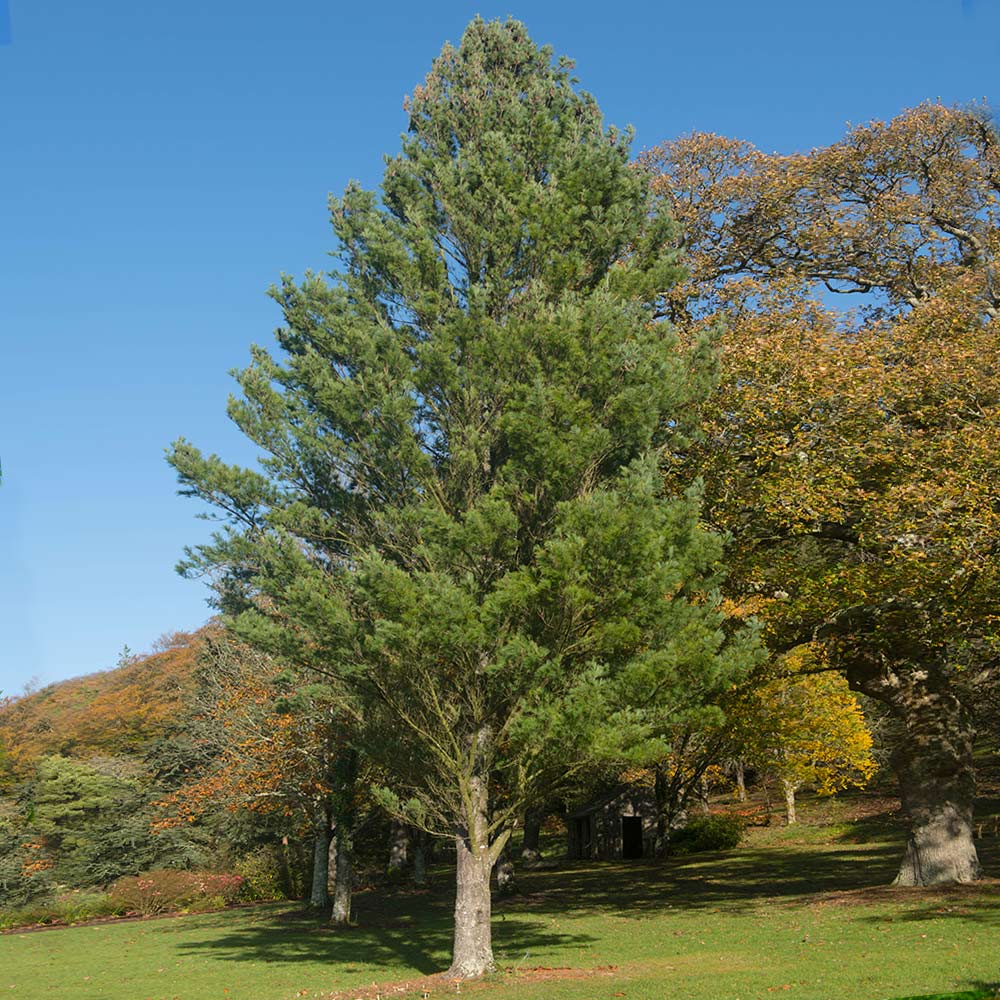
pixel 412 930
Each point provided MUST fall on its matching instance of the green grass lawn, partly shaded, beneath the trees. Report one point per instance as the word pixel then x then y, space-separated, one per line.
pixel 800 912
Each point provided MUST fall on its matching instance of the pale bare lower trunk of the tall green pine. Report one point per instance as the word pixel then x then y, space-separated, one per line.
pixel 472 954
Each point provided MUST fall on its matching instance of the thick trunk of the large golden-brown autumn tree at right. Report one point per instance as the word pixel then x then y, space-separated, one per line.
pixel 934 765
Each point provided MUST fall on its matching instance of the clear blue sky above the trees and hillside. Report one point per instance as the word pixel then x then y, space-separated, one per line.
pixel 162 163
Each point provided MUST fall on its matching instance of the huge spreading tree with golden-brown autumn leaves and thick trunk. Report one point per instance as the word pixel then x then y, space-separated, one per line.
pixel 852 457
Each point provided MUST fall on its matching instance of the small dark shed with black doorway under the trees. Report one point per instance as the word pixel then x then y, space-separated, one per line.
pixel 619 825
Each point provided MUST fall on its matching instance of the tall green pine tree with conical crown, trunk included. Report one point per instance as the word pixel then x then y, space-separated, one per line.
pixel 461 511
